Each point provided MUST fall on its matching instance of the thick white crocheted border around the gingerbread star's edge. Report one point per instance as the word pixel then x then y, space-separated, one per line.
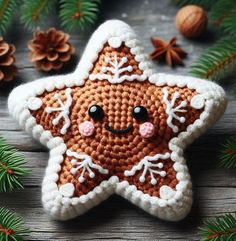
pixel 172 205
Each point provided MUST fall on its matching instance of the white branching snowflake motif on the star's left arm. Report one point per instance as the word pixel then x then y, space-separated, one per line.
pixel 64 110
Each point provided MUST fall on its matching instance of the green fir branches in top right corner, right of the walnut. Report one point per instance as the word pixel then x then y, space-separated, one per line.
pixel 220 59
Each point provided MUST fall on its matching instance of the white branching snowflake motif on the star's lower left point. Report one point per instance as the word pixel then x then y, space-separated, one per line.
pixel 86 164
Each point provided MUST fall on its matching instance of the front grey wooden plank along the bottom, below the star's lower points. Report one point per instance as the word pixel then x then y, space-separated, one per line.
pixel 116 218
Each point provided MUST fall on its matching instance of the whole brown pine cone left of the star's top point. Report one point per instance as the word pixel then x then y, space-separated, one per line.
pixel 50 49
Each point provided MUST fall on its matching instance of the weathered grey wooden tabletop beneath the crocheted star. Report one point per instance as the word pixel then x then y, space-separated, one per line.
pixel 117 219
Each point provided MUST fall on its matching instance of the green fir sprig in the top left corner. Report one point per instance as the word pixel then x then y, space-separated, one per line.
pixel 7 8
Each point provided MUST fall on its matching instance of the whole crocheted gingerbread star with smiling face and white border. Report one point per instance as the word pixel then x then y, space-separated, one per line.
pixel 116 126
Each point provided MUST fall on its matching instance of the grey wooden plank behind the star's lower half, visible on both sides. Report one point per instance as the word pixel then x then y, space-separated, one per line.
pixel 201 161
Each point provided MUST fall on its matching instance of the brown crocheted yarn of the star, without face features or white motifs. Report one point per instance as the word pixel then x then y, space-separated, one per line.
pixel 114 152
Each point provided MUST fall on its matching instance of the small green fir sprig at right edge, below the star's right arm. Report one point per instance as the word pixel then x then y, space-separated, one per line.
pixel 227 154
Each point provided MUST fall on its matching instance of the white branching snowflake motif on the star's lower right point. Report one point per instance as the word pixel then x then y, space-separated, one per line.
pixel 148 163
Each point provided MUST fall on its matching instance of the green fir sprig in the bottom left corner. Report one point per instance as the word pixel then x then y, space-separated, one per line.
pixel 11 226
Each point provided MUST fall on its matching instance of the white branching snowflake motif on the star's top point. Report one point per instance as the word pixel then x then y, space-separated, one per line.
pixel 116 69
